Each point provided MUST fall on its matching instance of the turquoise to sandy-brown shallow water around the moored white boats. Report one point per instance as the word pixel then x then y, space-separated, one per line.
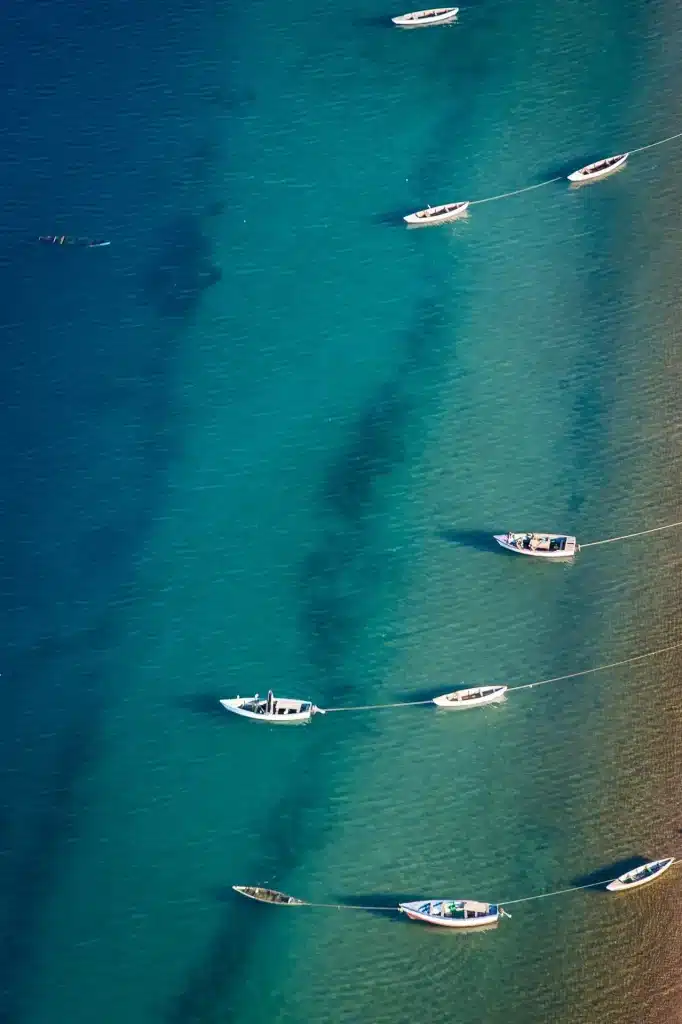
pixel 349 413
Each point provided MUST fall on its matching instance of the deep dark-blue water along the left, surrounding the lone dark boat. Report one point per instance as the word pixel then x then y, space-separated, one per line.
pixel 108 122
